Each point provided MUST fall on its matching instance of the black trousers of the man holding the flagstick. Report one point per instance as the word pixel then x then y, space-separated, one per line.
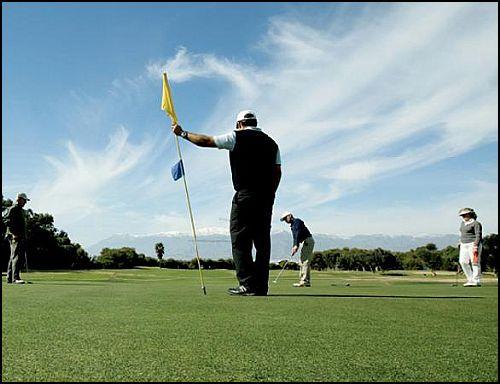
pixel 251 214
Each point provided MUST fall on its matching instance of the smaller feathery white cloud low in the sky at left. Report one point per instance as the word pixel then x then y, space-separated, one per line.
pixel 81 181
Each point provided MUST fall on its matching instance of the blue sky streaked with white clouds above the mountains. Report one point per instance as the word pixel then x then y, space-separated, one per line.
pixel 386 114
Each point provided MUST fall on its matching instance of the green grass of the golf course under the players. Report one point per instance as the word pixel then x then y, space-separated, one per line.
pixel 156 325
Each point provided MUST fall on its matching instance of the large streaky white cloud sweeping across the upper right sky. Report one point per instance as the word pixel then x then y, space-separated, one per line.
pixel 334 102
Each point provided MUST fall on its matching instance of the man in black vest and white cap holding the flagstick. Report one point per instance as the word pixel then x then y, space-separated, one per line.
pixel 256 172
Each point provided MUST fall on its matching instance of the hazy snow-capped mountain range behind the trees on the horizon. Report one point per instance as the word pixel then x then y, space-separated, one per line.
pixel 215 246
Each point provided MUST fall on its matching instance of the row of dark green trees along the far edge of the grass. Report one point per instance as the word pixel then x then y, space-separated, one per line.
pixel 50 248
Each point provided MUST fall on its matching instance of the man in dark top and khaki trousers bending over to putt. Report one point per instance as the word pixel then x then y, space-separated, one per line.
pixel 302 239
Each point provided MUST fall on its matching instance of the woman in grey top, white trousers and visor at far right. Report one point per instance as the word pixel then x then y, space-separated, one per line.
pixel 471 246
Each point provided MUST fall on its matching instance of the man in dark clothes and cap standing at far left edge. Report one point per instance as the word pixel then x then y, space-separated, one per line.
pixel 16 233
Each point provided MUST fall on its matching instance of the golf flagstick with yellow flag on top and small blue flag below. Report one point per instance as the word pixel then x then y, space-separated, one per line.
pixel 178 169
